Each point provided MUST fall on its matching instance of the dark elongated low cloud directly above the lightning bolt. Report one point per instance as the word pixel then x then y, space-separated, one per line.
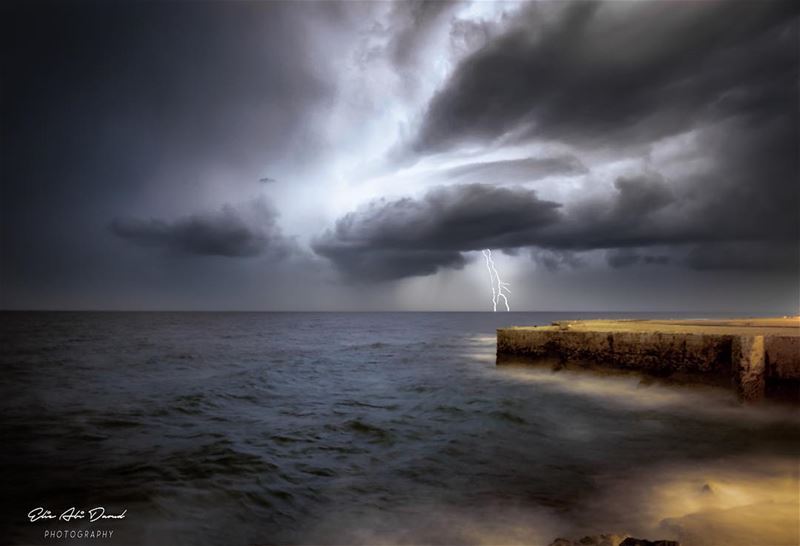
pixel 409 237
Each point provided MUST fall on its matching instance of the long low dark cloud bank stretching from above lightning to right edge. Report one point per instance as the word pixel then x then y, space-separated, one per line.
pixel 410 237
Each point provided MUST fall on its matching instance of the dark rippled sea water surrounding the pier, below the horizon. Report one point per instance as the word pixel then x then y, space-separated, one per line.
pixel 270 428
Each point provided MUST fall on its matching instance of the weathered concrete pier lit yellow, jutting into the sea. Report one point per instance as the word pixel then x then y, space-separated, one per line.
pixel 758 357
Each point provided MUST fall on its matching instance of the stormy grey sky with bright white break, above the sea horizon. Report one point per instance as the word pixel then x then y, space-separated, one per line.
pixel 626 156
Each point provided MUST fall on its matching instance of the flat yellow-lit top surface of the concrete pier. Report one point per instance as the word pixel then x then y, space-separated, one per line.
pixel 779 326
